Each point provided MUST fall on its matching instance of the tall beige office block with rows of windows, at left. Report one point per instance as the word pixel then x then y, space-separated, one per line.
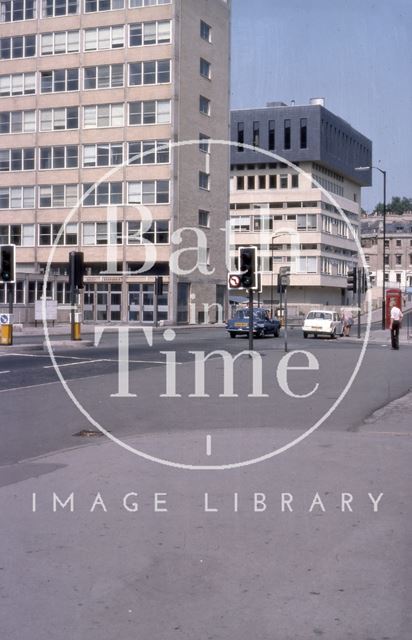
pixel 93 94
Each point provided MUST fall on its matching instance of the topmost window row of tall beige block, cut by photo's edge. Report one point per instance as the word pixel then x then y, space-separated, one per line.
pixel 15 10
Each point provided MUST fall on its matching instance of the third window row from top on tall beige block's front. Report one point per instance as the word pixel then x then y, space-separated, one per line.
pixel 107 76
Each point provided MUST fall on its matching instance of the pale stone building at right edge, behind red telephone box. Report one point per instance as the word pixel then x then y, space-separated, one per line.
pixel 398 250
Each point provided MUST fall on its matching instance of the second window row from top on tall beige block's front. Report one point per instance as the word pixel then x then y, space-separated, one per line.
pixel 99 38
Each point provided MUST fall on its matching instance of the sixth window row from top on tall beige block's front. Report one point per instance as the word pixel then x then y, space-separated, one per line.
pixel 67 195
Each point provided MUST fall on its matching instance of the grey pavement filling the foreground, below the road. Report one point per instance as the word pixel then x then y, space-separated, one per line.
pixel 145 551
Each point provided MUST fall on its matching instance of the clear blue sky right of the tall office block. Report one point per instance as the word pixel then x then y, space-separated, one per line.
pixel 357 54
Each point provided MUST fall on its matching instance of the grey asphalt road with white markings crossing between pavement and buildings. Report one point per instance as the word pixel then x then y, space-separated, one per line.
pixel 38 416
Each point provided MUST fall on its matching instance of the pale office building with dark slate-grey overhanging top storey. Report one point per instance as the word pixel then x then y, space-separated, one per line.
pixel 287 212
